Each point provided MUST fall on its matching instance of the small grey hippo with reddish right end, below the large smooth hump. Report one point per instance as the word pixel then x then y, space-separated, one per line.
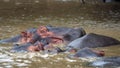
pixel 87 53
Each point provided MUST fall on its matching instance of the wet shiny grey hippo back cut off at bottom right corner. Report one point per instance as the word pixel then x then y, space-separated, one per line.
pixel 109 62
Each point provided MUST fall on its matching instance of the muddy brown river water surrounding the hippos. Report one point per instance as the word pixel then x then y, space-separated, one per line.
pixel 17 16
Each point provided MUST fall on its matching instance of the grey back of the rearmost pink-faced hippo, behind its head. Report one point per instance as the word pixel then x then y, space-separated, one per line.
pixel 68 34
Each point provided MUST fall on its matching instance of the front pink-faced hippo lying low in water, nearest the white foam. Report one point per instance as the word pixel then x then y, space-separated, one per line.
pixel 42 45
